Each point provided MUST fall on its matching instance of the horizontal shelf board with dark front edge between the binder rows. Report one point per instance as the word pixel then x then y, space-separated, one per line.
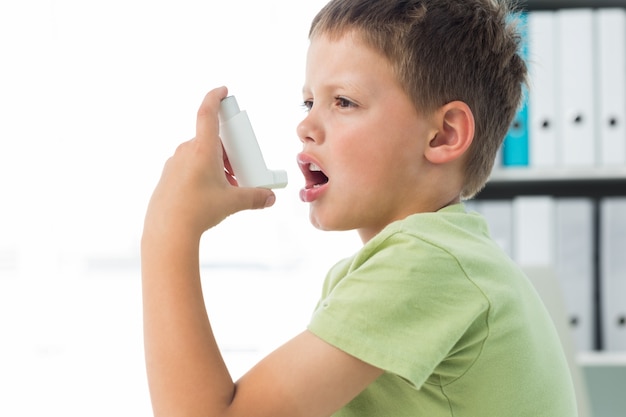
pixel 506 183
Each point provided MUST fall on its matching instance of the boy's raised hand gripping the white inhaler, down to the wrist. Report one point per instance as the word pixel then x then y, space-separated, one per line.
pixel 196 192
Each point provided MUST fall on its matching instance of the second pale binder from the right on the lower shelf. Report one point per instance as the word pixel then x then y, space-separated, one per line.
pixel 575 266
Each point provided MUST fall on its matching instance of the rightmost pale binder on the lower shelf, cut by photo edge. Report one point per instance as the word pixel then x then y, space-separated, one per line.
pixel 613 273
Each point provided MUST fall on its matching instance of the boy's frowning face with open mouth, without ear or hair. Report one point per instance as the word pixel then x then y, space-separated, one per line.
pixel 363 132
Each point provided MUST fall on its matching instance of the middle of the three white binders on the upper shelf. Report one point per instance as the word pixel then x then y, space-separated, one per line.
pixel 576 87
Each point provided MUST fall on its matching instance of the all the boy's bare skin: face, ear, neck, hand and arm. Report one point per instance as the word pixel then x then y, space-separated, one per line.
pixel 378 153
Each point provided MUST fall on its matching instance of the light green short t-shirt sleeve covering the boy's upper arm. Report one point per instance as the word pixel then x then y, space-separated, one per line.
pixel 402 305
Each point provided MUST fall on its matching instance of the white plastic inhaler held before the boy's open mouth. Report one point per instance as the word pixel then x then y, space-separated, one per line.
pixel 243 150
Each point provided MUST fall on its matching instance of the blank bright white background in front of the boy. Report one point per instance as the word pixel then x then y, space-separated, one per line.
pixel 94 96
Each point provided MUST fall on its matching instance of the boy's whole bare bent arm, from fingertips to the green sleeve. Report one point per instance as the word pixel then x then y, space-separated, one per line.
pixel 186 373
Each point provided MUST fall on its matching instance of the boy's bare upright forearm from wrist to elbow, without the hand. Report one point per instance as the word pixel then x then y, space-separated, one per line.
pixel 186 373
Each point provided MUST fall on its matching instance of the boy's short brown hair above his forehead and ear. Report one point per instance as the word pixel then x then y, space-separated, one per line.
pixel 442 51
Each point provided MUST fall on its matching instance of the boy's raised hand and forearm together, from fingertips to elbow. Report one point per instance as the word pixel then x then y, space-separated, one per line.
pixel 186 373
